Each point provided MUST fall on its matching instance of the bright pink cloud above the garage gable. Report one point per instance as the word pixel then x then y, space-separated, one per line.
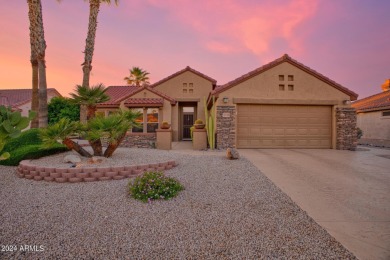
pixel 235 26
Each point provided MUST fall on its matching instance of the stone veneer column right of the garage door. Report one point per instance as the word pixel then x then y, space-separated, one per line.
pixel 346 132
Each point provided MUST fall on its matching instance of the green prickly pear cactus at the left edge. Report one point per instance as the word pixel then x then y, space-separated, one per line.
pixel 11 125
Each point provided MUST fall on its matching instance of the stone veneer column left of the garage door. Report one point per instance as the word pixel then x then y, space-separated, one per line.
pixel 226 126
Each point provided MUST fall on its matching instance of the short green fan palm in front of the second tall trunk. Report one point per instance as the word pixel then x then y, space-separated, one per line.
pixel 90 97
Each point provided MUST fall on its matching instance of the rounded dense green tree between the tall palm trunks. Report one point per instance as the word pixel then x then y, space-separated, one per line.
pixel 60 107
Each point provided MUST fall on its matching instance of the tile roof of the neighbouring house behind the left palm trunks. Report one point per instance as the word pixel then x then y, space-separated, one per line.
pixel 18 97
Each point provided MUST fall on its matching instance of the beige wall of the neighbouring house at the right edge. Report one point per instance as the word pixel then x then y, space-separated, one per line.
pixel 374 125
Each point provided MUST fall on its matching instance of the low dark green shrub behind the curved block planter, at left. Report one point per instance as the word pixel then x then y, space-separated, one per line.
pixel 33 151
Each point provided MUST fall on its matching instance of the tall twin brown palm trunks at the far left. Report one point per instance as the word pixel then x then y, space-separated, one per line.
pixel 38 48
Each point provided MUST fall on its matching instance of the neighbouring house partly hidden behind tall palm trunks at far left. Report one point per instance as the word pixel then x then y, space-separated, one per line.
pixel 20 99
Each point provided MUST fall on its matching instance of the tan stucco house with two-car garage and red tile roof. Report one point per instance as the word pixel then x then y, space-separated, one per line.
pixel 283 104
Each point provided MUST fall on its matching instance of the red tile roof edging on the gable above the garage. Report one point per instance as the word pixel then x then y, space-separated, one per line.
pixel 284 58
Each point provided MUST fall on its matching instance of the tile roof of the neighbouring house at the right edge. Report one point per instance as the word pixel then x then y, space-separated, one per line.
pixel 380 101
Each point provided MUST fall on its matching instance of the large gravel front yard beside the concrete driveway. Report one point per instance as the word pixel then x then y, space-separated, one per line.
pixel 228 210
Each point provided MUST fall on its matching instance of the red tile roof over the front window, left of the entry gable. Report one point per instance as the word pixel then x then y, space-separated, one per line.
pixel 119 93
